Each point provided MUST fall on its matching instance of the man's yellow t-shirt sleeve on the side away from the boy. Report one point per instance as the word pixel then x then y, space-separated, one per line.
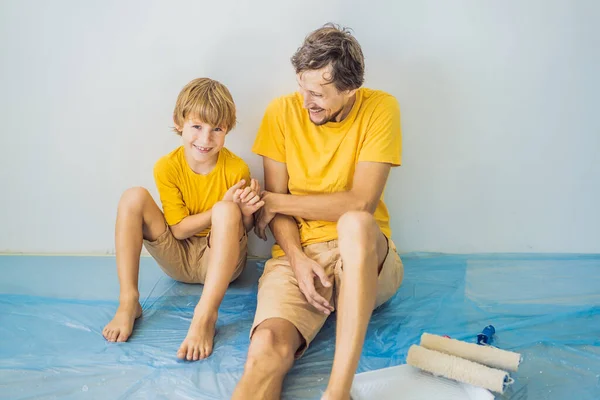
pixel 383 140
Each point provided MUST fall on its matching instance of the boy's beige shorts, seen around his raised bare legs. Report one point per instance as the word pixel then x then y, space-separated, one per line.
pixel 187 260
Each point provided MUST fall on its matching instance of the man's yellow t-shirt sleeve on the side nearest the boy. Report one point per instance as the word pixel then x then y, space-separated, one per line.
pixel 270 140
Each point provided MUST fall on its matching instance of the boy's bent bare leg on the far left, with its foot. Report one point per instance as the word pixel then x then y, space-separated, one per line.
pixel 138 217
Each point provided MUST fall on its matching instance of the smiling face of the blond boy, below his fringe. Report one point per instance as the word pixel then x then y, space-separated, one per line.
pixel 202 141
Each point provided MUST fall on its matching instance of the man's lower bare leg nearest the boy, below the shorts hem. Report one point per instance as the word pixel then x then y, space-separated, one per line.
pixel 270 357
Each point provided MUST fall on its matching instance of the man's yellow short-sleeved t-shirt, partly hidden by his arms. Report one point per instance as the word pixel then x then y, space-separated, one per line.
pixel 322 159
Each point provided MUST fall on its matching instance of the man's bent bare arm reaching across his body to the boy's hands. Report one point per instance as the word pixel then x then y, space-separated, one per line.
pixel 367 186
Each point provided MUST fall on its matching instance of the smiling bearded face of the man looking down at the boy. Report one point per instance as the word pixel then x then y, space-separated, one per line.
pixel 322 100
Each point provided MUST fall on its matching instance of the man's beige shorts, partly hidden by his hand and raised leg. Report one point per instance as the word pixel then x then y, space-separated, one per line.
pixel 280 297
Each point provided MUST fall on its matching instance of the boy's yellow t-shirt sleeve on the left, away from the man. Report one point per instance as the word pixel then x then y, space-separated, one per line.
pixel 171 198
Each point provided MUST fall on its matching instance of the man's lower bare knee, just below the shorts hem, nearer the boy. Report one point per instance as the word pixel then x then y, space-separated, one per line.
pixel 269 351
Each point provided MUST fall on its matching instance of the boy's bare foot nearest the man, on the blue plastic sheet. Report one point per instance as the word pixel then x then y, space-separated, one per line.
pixel 199 341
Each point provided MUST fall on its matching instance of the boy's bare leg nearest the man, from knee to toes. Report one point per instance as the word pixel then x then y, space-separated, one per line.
pixel 226 231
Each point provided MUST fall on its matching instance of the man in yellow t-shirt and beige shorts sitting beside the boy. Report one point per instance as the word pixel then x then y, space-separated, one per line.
pixel 327 152
